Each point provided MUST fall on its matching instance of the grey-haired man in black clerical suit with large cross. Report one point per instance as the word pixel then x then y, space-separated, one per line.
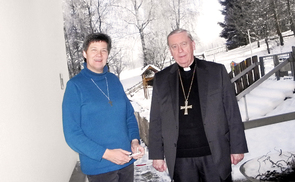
pixel 196 129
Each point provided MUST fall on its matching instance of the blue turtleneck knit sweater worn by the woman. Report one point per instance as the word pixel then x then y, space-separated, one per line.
pixel 91 125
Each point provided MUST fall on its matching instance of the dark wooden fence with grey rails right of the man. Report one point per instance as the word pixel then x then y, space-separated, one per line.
pixel 246 79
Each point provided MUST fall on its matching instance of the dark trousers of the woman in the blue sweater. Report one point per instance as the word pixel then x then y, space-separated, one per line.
pixel 123 175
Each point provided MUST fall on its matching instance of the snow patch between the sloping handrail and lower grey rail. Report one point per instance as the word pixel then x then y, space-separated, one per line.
pixel 268 96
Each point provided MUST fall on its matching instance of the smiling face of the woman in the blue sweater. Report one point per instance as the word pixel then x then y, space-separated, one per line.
pixel 96 56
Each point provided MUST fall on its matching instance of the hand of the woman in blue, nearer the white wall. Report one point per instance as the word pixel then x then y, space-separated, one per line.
pixel 117 156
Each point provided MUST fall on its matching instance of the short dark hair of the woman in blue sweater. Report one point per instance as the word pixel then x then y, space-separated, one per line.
pixel 96 37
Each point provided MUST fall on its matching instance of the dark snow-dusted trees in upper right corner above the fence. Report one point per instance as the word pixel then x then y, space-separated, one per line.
pixel 263 19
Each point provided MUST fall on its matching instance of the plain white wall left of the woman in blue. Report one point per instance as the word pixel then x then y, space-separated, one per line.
pixel 32 55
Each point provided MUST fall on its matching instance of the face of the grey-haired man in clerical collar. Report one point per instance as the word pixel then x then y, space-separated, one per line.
pixel 182 48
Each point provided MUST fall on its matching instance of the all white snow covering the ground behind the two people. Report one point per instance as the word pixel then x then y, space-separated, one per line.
pixel 272 97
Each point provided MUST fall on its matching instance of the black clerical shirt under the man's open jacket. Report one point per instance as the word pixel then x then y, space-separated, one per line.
pixel 192 140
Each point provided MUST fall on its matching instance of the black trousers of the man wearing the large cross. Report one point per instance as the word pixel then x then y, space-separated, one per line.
pixel 198 169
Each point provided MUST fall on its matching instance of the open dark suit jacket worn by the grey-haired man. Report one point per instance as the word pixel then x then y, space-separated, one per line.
pixel 220 113
